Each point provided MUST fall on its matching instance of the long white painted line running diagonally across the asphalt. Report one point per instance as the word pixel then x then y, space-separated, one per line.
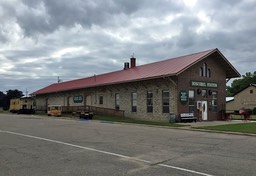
pixel 105 152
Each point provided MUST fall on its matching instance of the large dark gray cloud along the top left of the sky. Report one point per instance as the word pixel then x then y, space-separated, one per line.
pixel 46 16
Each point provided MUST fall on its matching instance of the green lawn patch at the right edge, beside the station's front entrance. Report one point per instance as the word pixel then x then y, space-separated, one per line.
pixel 241 127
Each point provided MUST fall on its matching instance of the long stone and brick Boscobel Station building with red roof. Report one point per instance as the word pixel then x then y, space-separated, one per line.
pixel 194 83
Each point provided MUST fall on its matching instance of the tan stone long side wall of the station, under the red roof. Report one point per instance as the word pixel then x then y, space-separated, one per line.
pixel 91 98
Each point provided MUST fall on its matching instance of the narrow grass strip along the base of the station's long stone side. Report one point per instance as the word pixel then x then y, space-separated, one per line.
pixel 135 121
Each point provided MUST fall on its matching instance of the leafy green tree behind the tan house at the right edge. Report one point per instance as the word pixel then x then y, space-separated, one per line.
pixel 240 84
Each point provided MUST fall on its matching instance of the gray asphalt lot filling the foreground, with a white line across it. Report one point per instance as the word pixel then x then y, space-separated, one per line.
pixel 37 145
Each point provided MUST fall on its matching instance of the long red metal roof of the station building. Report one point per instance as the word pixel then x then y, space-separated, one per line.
pixel 168 67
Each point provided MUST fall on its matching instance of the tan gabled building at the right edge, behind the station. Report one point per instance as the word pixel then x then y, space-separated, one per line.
pixel 246 98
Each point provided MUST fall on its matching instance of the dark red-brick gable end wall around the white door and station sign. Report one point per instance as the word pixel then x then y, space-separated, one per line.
pixel 218 76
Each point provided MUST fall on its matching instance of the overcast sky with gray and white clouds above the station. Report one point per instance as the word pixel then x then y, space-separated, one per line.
pixel 43 39
